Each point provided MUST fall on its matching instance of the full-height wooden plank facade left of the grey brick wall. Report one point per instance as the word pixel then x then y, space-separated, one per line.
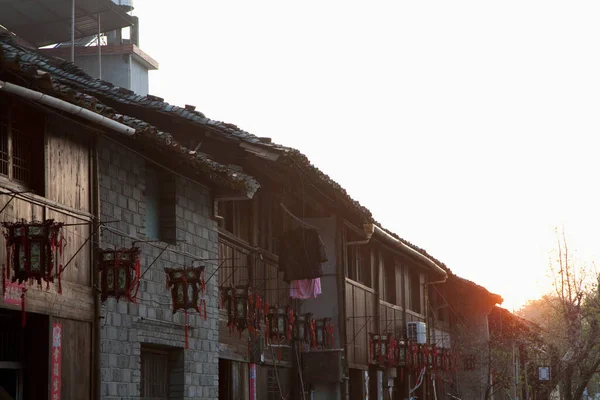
pixel 52 177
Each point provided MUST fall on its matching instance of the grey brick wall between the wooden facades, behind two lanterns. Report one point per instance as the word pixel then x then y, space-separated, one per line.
pixel 125 325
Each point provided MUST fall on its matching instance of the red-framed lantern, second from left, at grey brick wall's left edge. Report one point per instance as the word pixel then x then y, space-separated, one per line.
pixel 119 273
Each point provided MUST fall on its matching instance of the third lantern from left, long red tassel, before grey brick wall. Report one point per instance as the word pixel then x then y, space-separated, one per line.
pixel 187 285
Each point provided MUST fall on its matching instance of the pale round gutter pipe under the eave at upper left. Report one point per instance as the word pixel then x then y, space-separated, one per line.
pixel 66 107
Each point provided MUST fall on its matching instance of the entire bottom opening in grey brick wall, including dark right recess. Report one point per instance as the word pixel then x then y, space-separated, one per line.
pixel 161 373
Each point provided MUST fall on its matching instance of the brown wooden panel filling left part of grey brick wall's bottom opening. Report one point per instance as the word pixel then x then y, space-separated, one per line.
pixel 154 383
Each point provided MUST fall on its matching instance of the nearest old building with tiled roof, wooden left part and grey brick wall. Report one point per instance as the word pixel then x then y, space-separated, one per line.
pixel 116 185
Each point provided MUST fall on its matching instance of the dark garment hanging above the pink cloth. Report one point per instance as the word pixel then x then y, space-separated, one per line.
pixel 301 253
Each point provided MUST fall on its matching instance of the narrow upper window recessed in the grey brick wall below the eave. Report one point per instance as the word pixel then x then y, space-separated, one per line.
pixel 160 198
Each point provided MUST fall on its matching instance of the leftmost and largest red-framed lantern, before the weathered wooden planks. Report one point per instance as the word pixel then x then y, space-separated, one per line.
pixel 31 251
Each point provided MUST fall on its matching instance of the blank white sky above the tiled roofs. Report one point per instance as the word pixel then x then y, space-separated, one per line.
pixel 468 128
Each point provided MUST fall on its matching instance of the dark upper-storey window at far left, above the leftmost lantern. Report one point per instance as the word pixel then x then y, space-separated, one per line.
pixel 22 145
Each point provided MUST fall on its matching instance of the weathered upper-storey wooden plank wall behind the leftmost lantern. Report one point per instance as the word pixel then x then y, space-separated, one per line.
pixel 67 200
